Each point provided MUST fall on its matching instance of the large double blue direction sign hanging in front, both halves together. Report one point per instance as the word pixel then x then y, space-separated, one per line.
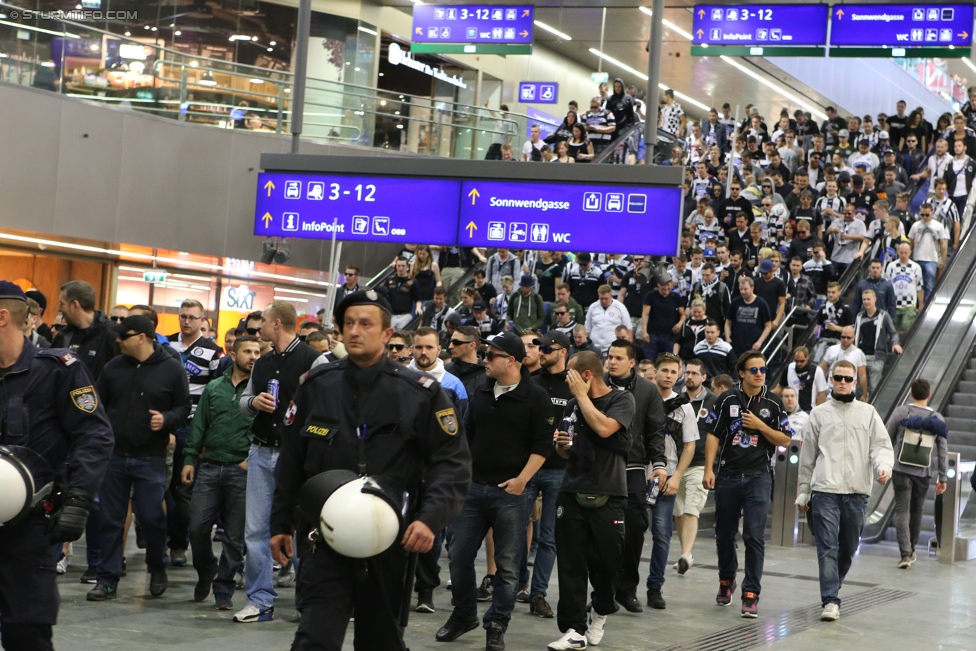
pixel 462 204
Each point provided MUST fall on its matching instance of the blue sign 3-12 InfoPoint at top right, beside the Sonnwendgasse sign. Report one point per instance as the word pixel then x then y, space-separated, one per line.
pixel 762 25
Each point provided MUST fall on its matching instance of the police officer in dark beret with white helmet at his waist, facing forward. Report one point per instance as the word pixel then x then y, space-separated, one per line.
pixel 409 432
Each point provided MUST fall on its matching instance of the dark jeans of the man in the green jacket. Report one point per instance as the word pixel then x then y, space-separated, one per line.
pixel 218 491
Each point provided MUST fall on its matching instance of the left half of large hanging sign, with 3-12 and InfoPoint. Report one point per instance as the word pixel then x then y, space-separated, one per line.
pixel 364 208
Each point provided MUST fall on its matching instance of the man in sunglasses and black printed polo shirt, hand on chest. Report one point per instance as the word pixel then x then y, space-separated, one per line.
pixel 743 433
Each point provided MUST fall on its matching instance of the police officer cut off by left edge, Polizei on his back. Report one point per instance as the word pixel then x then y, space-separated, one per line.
pixel 49 404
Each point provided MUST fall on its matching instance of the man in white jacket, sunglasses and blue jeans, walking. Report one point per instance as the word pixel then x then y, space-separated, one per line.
pixel 845 447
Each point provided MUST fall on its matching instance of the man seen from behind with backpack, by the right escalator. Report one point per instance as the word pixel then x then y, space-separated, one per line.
pixel 919 437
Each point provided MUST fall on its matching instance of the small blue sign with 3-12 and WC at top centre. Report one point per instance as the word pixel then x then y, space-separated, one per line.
pixel 473 24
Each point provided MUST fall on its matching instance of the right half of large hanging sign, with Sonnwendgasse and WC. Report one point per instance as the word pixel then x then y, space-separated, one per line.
pixel 570 216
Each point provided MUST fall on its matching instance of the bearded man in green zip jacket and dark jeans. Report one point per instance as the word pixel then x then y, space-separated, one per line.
pixel 216 460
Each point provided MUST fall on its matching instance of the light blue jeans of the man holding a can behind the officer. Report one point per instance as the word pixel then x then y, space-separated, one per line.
pixel 258 565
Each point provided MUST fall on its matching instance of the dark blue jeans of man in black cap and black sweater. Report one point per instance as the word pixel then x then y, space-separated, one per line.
pixel 488 507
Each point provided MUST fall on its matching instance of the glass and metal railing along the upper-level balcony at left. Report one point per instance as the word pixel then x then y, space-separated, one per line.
pixel 87 63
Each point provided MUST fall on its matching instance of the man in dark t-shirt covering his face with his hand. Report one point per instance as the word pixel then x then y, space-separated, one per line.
pixel 592 499
